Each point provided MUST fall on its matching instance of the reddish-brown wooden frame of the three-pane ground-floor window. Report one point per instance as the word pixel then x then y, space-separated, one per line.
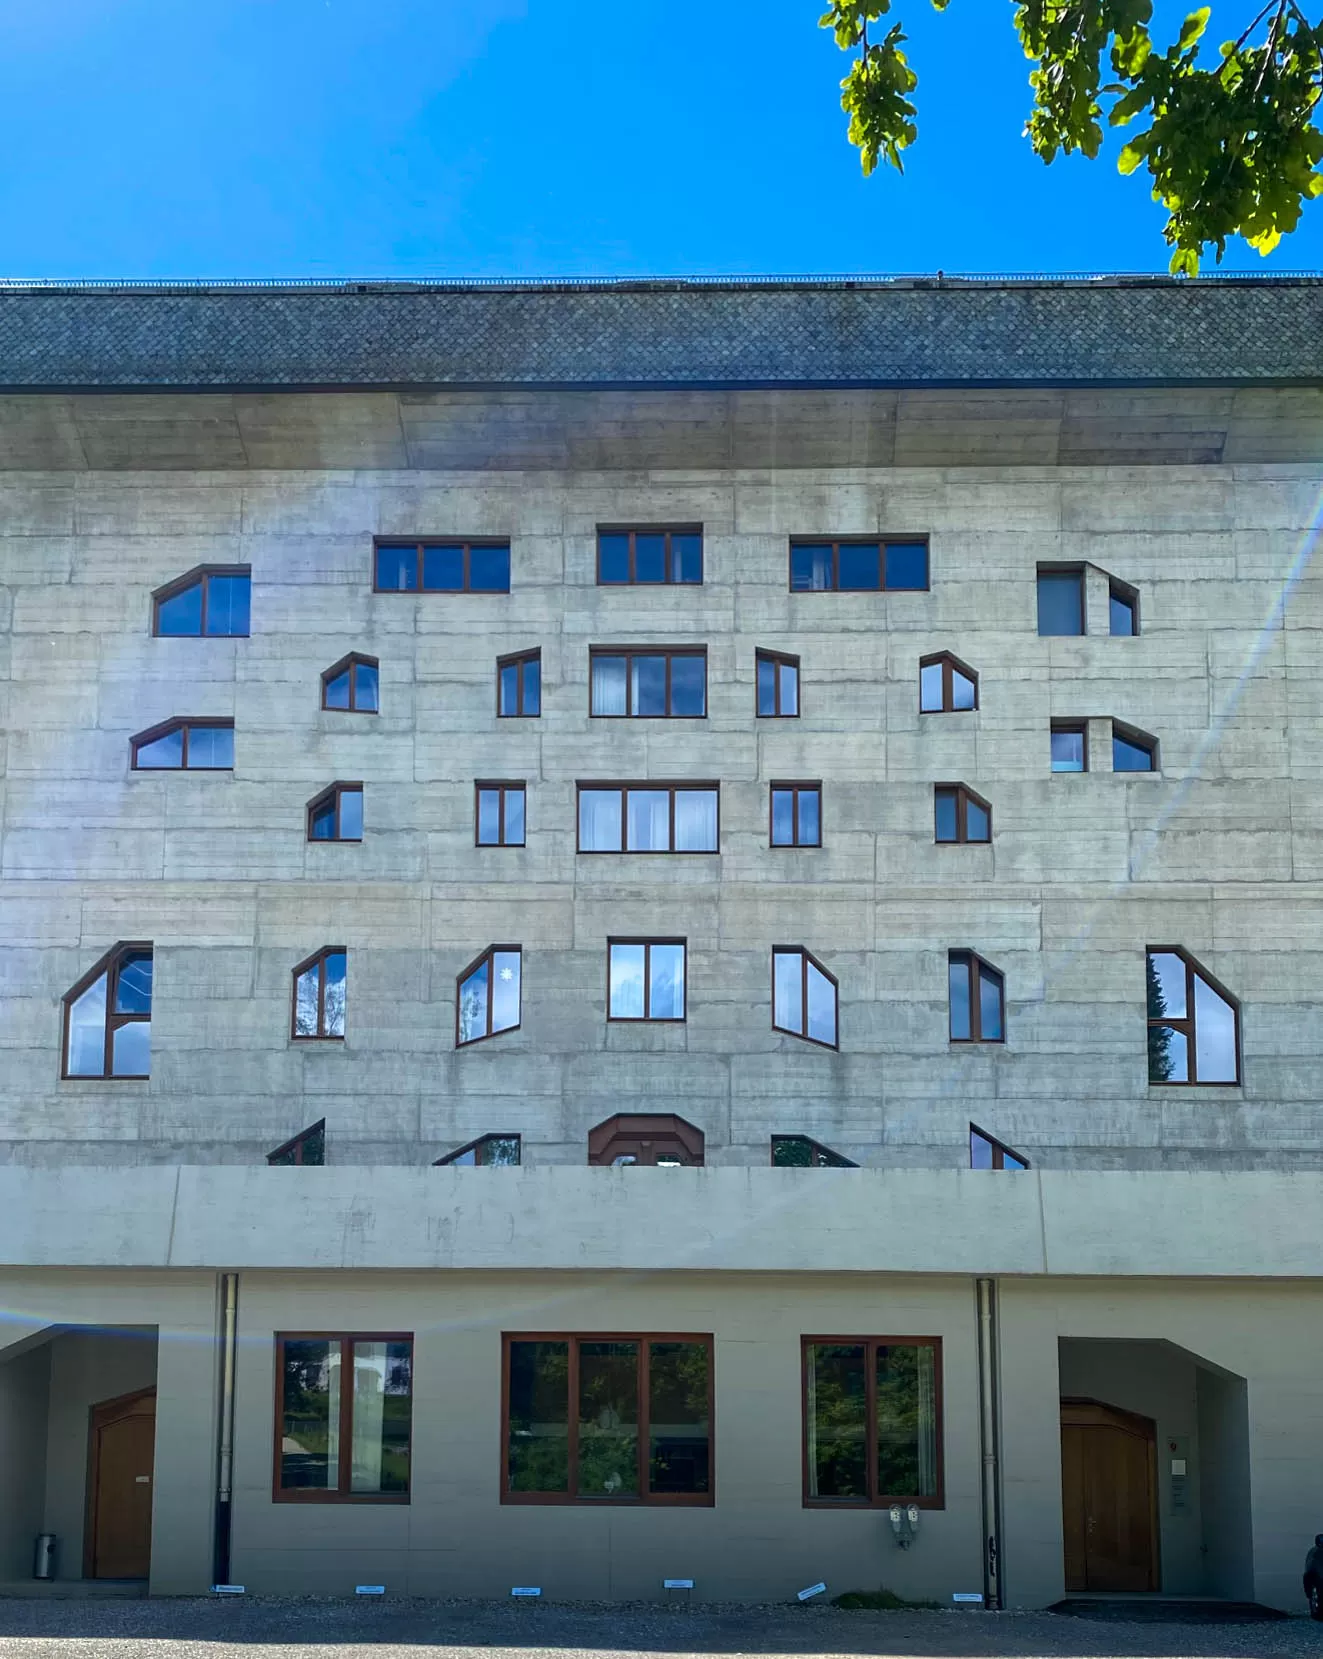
pixel 645 1499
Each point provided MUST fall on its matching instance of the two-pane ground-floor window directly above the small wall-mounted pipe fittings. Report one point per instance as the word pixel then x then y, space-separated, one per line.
pixel 872 1421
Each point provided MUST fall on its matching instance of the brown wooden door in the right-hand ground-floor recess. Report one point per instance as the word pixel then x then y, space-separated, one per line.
pixel 1108 1497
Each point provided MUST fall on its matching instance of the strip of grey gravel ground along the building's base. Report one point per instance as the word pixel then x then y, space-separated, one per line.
pixel 285 1628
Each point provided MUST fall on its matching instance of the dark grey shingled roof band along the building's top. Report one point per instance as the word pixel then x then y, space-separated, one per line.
pixel 630 334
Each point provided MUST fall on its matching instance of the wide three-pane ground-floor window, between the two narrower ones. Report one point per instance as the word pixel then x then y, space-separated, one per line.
pixel 608 1419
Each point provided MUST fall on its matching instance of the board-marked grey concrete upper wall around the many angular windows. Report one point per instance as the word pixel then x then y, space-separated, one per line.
pixel 1221 854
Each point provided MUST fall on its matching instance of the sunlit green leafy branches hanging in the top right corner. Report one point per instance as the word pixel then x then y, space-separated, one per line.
pixel 1233 150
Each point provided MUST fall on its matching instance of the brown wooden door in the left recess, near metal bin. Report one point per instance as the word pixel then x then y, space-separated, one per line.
pixel 120 1477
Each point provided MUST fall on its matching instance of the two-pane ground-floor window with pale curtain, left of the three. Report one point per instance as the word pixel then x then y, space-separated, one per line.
pixel 344 1416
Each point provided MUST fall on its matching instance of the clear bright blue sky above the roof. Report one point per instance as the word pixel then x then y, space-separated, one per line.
pixel 213 139
